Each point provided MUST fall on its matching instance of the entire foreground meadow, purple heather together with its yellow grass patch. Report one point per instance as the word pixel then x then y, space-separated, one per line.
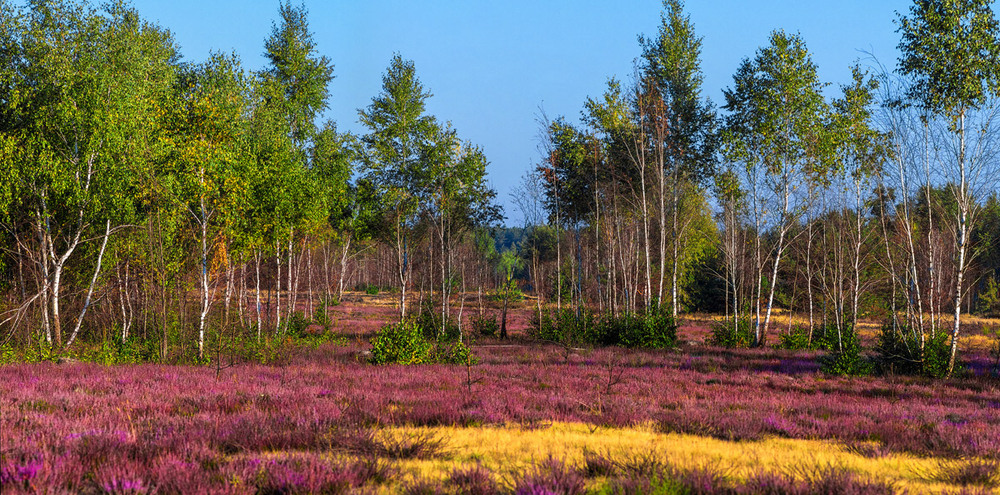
pixel 527 418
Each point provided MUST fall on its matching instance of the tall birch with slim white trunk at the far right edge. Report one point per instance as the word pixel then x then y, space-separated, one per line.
pixel 950 49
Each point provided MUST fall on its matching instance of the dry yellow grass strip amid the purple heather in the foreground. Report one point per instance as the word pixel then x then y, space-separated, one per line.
pixel 509 450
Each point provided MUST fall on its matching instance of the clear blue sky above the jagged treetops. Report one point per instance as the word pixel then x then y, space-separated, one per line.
pixel 492 65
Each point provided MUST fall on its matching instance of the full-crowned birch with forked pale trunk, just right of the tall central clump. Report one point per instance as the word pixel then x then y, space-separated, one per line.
pixel 777 128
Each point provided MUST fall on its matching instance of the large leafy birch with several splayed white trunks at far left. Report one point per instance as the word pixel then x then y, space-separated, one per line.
pixel 82 109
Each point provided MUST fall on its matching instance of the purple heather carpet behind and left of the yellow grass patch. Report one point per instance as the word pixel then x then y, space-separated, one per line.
pixel 127 429
